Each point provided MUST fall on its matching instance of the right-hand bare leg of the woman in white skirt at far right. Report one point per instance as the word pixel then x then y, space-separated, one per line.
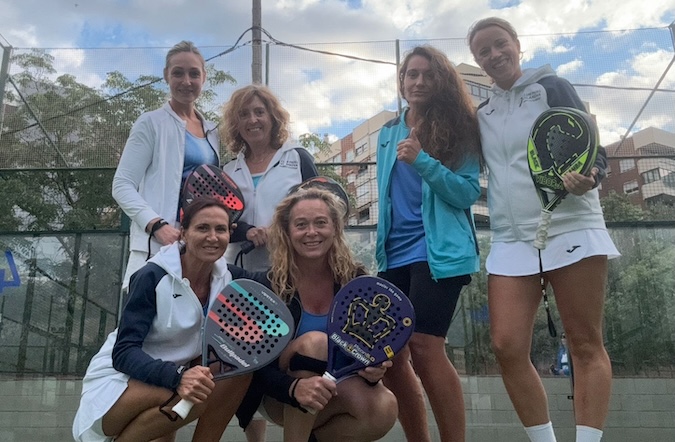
pixel 581 311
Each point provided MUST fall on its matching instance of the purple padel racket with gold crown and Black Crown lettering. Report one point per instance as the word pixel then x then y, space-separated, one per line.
pixel 370 321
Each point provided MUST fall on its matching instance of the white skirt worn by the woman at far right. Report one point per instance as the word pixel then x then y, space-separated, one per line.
pixel 520 258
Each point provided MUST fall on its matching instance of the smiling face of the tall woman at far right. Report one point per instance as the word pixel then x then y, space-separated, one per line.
pixel 498 54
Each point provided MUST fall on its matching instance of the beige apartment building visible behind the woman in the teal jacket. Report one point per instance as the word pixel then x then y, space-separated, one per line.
pixel 356 155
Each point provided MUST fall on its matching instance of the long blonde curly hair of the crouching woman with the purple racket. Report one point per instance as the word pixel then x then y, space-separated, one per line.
pixel 284 272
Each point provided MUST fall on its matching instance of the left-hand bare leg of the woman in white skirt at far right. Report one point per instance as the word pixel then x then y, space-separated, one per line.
pixel 513 303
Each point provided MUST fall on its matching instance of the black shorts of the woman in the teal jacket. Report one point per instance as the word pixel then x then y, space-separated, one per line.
pixel 434 301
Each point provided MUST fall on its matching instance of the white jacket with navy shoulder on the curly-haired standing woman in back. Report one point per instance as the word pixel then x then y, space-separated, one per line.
pixel 291 165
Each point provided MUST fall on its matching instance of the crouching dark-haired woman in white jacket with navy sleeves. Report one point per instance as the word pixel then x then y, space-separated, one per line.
pixel 147 364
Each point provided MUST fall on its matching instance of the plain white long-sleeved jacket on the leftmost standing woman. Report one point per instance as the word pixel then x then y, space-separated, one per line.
pixel 148 178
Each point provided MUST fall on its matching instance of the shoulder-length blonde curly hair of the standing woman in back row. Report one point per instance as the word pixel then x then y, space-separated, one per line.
pixel 229 126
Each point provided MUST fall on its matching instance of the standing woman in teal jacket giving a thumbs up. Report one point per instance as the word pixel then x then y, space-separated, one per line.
pixel 427 174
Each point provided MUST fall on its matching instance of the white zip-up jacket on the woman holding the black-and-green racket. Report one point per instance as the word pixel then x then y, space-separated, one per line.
pixel 505 122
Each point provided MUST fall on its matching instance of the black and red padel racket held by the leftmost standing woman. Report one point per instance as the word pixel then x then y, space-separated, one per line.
pixel 211 181
